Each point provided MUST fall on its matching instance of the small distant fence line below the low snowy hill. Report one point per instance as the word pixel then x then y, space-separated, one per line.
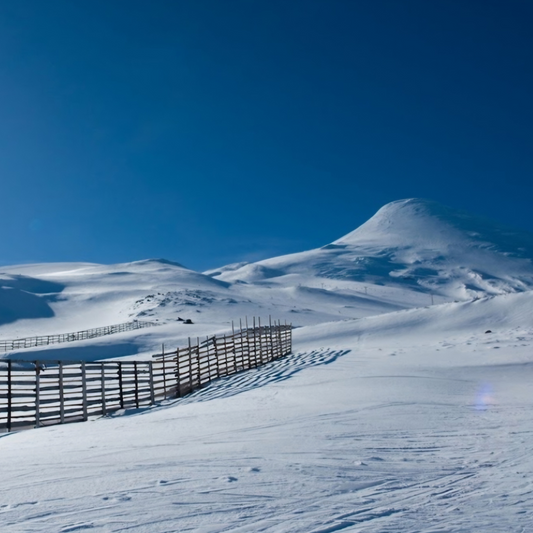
pixel 44 340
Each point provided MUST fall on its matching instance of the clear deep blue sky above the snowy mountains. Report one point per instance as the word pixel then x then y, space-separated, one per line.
pixel 215 131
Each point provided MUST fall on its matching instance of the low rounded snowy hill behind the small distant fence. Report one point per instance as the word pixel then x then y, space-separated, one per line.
pixel 95 295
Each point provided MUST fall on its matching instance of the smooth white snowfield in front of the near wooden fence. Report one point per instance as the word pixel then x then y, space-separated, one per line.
pixel 410 421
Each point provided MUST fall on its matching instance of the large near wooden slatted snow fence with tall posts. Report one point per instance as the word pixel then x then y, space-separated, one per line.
pixel 42 393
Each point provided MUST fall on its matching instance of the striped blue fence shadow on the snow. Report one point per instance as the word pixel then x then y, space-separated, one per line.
pixel 273 372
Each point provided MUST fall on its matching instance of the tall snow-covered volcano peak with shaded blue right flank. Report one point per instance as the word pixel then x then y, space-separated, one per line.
pixel 413 244
